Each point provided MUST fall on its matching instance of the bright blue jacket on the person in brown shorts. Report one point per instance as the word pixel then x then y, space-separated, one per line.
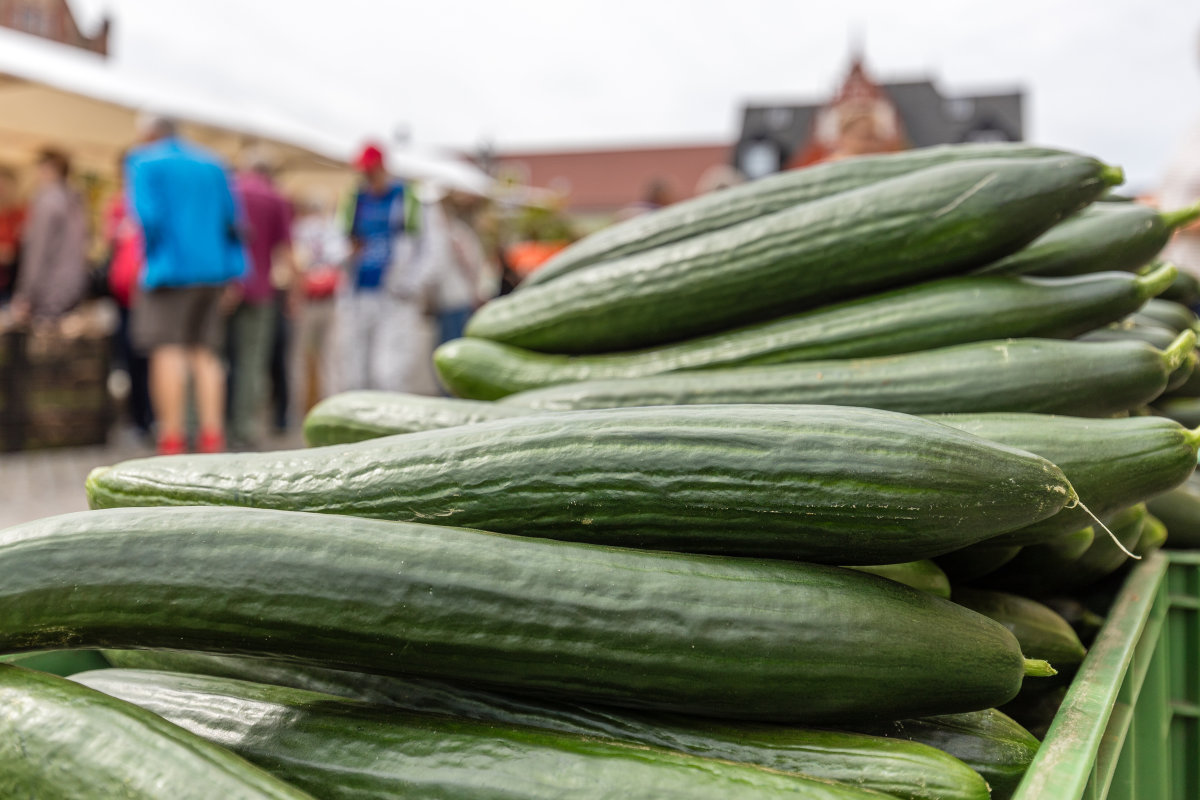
pixel 182 197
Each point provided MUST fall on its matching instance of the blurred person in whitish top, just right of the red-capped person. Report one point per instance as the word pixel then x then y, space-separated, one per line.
pixel 466 279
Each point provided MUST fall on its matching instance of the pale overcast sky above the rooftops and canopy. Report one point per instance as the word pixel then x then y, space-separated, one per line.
pixel 1117 79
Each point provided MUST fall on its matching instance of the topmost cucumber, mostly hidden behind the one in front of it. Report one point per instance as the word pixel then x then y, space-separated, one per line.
pixel 769 195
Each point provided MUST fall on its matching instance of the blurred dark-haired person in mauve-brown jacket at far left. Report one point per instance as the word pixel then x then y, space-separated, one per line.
pixel 53 273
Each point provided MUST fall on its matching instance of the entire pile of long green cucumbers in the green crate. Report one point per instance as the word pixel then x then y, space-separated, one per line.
pixel 735 504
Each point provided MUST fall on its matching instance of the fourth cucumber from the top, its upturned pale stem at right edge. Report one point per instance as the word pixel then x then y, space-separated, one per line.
pixel 1042 376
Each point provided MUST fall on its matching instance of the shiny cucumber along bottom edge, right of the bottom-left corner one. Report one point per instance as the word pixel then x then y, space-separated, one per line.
pixel 344 750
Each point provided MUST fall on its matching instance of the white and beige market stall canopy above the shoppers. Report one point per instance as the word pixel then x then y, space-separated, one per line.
pixel 53 95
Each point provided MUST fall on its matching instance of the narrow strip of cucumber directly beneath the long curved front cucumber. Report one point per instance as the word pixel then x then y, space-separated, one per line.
pixel 910 771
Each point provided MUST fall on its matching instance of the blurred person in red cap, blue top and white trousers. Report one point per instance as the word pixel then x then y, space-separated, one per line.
pixel 382 329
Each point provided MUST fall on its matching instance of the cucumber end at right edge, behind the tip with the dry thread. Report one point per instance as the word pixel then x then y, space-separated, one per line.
pixel 1112 464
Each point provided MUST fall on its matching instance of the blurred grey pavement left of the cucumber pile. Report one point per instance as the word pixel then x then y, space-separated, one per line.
pixel 40 484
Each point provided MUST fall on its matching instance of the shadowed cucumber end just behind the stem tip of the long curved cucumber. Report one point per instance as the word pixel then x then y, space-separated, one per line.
pixel 1042 633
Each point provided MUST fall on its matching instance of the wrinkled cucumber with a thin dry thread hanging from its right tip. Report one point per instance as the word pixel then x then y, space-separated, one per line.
pixel 820 484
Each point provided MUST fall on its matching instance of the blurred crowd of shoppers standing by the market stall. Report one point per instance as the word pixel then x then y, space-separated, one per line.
pixel 239 306
